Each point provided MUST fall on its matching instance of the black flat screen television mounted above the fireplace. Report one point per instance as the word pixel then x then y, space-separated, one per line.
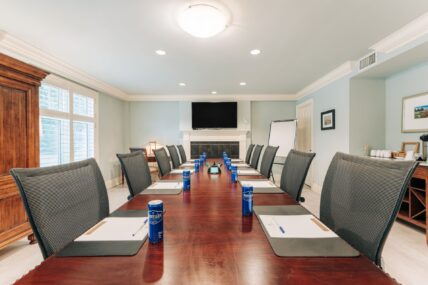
pixel 207 115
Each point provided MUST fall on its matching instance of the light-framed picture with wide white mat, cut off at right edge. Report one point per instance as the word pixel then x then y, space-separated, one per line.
pixel 414 117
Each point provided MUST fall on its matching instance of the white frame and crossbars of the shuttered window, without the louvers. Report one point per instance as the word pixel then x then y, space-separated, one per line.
pixel 72 88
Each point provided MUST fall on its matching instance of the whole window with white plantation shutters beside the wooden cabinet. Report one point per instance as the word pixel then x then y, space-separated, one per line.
pixel 67 122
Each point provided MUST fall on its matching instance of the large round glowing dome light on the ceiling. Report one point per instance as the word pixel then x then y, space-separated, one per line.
pixel 203 20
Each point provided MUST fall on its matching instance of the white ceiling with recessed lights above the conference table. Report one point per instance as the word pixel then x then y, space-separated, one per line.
pixel 301 40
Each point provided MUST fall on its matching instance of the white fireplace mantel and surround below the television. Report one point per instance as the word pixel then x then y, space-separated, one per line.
pixel 243 136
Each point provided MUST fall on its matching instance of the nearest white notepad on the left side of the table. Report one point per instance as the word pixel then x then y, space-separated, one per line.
pixel 116 229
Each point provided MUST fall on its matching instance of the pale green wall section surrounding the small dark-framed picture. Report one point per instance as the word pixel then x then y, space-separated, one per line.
pixel 328 142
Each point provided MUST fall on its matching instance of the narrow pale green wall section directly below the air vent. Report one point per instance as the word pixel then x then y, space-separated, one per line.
pixel 367 115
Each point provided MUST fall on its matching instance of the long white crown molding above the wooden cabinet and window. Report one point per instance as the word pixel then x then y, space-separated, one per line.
pixel 23 51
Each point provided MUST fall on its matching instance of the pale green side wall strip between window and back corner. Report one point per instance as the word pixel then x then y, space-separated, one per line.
pixel 111 134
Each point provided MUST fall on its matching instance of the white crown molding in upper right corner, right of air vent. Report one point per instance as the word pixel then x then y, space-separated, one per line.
pixel 409 33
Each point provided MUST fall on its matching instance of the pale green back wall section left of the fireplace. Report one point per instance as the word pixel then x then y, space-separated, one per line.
pixel 157 121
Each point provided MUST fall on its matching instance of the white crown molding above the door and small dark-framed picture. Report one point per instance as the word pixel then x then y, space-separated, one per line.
pixel 337 73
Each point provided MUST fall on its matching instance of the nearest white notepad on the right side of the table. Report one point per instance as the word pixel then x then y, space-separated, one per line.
pixel 295 226
